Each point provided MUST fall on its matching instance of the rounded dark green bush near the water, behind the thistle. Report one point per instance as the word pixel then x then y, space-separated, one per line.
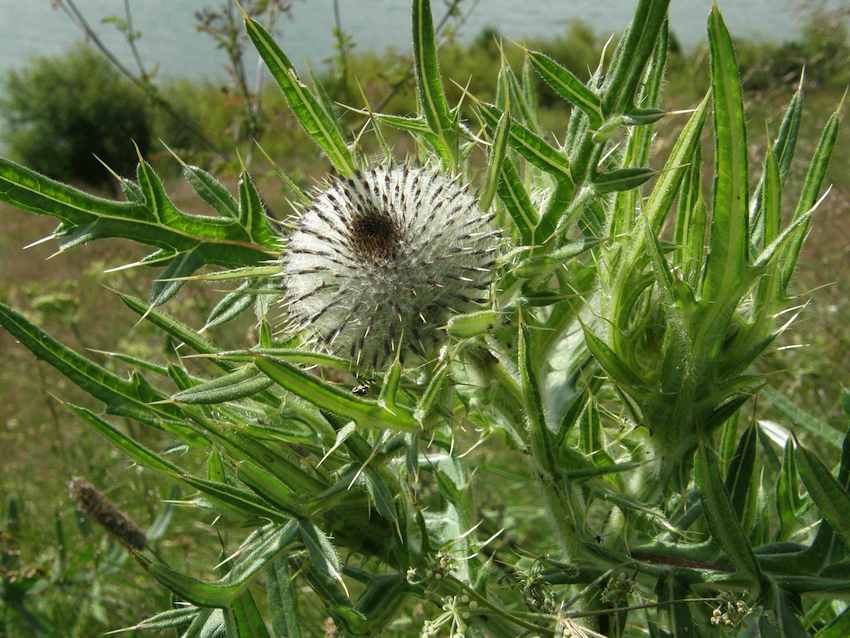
pixel 60 112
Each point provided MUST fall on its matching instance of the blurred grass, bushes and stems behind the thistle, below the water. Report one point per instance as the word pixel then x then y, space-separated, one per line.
pixel 68 115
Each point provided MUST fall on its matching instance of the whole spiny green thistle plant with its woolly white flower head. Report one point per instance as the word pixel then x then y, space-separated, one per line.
pixel 565 307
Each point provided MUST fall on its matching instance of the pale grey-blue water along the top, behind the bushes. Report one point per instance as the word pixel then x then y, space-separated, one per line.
pixel 170 41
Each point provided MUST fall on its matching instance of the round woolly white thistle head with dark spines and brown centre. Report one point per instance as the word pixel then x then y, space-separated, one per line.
pixel 392 251
